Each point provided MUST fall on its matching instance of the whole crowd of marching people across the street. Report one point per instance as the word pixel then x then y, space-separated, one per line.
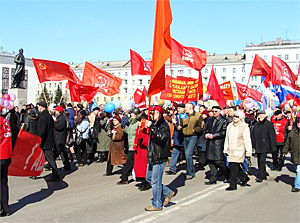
pixel 222 138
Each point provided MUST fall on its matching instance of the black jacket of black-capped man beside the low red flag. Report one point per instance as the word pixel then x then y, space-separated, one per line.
pixel 45 130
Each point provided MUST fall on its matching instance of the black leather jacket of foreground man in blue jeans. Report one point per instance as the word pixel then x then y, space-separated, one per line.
pixel 159 142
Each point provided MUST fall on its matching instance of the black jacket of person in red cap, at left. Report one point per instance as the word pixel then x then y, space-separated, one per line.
pixel 60 130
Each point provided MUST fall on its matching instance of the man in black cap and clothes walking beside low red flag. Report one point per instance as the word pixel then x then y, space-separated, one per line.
pixel 45 130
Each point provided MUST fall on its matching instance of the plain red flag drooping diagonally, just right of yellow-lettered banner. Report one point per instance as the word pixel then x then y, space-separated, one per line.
pixel 214 89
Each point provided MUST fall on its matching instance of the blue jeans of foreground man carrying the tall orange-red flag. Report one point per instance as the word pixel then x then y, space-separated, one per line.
pixel 154 178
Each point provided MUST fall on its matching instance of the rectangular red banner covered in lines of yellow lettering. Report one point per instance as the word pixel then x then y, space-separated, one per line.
pixel 180 89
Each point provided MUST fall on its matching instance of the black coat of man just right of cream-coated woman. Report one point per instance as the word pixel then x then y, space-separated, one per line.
pixel 263 137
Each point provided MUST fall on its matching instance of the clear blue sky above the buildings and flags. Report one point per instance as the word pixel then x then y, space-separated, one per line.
pixel 78 31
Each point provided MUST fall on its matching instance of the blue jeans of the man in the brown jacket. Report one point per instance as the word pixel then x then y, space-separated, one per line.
pixel 189 145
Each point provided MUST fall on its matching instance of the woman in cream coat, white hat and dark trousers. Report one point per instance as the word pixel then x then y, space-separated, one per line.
pixel 237 146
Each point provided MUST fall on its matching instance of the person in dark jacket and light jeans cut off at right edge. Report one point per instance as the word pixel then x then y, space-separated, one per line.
pixel 292 145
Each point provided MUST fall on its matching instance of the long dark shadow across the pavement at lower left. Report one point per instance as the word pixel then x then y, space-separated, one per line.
pixel 38 196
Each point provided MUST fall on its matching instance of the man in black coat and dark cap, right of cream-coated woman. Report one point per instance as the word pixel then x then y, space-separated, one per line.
pixel 263 139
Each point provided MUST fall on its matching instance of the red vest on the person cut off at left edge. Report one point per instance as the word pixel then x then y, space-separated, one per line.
pixel 5 139
